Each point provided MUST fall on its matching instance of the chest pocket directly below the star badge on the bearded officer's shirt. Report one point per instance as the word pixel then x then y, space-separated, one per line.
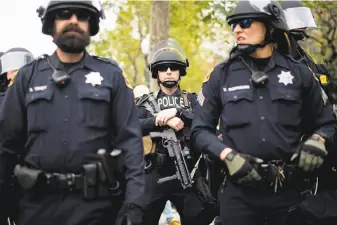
pixel 94 110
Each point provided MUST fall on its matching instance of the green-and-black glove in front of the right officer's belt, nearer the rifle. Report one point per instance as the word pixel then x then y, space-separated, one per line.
pixel 240 167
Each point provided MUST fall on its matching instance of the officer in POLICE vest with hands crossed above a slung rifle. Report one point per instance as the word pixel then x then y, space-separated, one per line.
pixel 168 64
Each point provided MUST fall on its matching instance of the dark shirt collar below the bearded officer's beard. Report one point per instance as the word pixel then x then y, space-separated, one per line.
pixel 87 61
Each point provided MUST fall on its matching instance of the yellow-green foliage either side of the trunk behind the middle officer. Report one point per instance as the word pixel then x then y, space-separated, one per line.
pixel 192 23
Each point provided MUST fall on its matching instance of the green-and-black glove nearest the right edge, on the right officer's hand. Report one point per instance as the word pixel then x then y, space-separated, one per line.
pixel 311 154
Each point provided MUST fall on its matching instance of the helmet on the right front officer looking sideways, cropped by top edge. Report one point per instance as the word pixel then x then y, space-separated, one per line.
pixel 265 10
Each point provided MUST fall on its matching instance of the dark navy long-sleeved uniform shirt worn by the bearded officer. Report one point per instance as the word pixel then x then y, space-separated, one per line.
pixel 59 129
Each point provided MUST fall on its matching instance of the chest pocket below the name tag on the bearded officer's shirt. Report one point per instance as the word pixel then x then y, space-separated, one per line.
pixel 38 105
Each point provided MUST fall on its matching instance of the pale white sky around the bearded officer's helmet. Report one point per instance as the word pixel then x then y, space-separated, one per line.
pixel 21 27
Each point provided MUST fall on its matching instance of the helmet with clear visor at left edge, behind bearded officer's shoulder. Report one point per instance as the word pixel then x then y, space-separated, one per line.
pixel 14 59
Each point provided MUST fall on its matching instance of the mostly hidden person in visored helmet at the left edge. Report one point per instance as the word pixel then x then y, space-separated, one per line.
pixel 11 61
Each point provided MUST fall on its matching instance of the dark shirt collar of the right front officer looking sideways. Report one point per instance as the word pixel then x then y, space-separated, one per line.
pixel 276 60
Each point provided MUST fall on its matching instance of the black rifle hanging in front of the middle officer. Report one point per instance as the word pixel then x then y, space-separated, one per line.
pixel 172 144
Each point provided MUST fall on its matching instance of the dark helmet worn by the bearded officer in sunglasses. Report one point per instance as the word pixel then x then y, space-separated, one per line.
pixel 47 17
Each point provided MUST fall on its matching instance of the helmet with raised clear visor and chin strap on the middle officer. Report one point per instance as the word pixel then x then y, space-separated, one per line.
pixel 165 54
